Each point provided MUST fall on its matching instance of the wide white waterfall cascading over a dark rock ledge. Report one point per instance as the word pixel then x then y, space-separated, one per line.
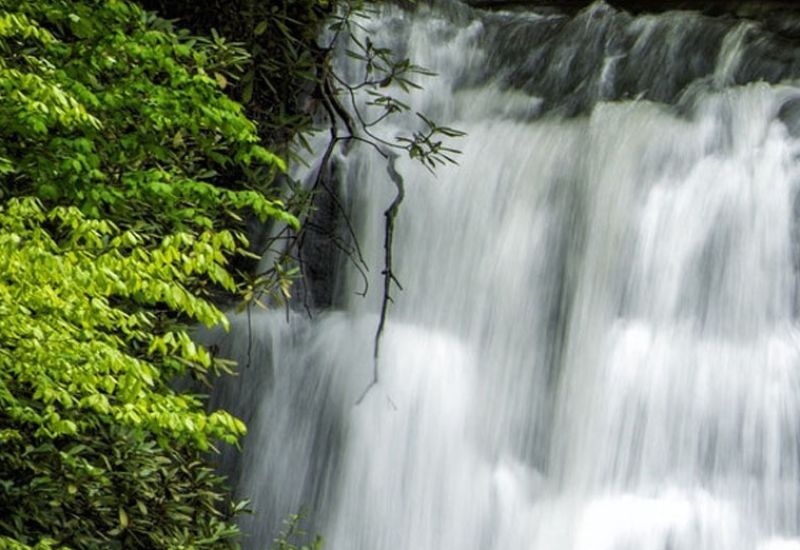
pixel 597 346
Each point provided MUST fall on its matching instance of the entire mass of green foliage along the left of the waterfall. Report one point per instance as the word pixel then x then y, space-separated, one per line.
pixel 125 173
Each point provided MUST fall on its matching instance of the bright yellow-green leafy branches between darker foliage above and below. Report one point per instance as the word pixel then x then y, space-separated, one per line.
pixel 80 345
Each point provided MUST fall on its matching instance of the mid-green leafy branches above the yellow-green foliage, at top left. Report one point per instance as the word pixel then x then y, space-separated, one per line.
pixel 105 108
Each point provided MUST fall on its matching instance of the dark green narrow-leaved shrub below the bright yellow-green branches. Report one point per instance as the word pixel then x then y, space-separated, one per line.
pixel 109 489
